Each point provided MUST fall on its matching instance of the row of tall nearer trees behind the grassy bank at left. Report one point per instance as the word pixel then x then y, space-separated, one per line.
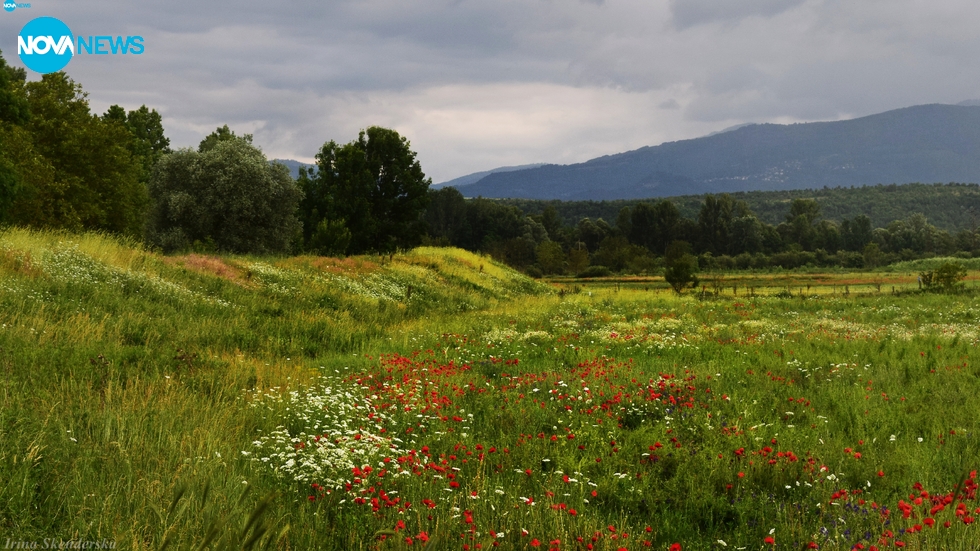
pixel 64 167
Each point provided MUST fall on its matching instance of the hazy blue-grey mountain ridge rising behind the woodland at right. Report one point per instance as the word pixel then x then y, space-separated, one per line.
pixel 924 143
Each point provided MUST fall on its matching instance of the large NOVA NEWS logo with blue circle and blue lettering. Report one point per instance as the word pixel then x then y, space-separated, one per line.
pixel 46 45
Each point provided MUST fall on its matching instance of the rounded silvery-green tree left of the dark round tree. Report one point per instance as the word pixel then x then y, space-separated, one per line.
pixel 228 196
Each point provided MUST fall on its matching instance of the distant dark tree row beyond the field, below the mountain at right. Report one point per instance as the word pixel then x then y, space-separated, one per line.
pixel 725 234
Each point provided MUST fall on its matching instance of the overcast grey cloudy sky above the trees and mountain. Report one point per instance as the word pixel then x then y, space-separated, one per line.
pixel 478 84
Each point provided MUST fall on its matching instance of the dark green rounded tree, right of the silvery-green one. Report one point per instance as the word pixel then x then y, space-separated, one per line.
pixel 373 186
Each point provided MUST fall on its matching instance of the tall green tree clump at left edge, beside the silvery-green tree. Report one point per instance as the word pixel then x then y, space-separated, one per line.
pixel 62 167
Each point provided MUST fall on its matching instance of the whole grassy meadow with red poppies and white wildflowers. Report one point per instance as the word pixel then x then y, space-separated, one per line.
pixel 437 399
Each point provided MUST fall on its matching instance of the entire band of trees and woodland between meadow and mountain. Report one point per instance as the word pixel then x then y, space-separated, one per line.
pixel 62 167
